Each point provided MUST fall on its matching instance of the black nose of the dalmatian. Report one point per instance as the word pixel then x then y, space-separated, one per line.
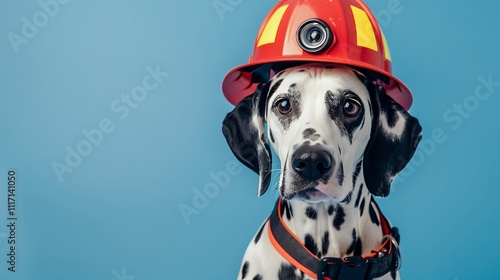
pixel 311 163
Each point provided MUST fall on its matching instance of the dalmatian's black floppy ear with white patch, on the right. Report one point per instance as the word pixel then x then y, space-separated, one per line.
pixel 394 139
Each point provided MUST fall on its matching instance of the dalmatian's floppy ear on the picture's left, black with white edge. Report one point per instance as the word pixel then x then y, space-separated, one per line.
pixel 244 131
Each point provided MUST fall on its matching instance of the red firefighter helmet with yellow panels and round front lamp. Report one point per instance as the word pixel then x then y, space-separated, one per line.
pixel 329 31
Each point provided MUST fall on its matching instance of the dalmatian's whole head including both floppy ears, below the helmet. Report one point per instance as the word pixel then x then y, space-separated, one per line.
pixel 328 126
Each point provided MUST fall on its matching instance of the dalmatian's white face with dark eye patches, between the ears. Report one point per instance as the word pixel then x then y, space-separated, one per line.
pixel 319 124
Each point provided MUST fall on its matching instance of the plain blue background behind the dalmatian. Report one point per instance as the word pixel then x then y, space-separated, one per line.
pixel 116 215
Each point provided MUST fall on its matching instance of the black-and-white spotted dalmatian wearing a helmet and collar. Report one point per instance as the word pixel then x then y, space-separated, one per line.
pixel 340 140
